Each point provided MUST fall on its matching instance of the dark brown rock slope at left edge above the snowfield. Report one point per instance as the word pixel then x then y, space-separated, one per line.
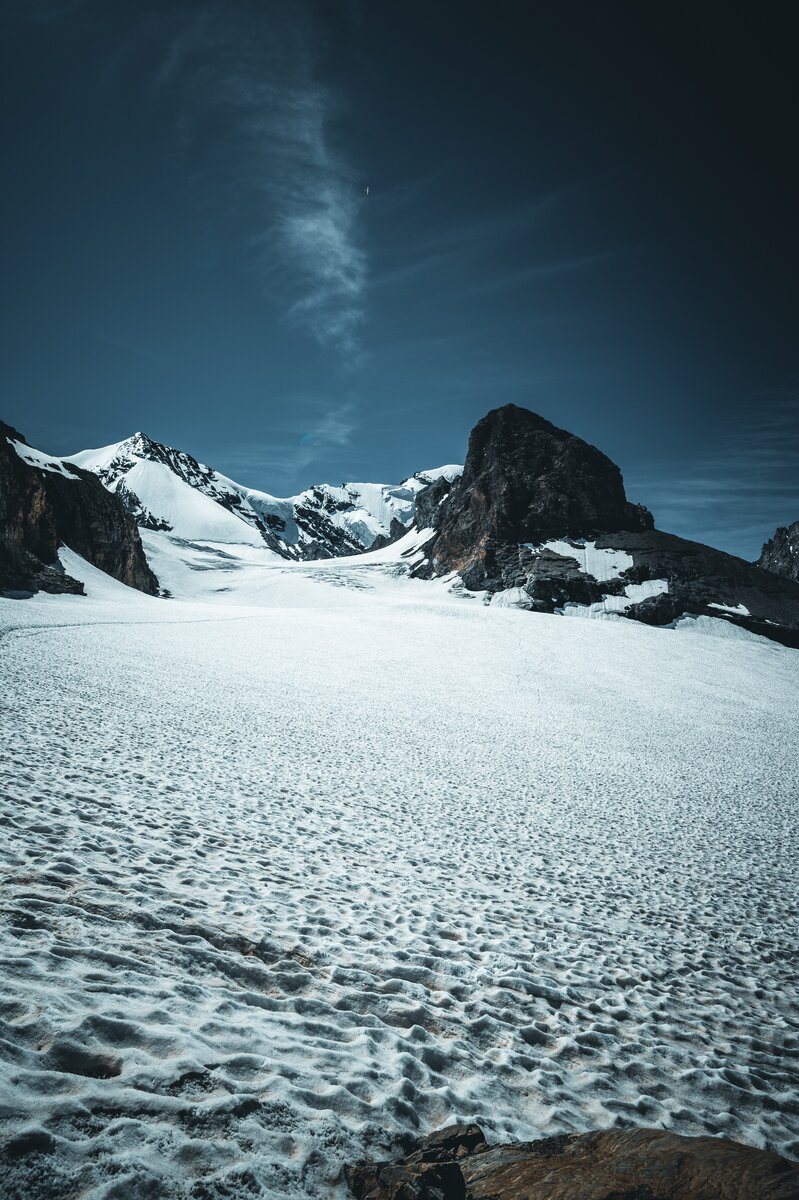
pixel 43 509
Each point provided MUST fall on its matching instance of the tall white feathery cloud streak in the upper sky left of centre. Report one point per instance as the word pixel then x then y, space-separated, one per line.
pixel 275 160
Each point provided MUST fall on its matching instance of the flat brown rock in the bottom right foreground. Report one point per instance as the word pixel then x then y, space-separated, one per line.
pixel 635 1165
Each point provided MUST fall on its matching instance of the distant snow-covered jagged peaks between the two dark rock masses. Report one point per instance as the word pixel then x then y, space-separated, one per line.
pixel 167 490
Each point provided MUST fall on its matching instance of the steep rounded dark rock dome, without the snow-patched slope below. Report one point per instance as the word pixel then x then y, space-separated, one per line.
pixel 527 481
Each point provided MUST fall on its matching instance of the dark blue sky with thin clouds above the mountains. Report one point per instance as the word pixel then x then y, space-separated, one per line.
pixel 314 242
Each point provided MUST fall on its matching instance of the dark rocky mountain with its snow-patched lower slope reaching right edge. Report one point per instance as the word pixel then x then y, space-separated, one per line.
pixel 540 520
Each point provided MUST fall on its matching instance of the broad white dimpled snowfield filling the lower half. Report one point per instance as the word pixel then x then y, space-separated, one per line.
pixel 333 856
